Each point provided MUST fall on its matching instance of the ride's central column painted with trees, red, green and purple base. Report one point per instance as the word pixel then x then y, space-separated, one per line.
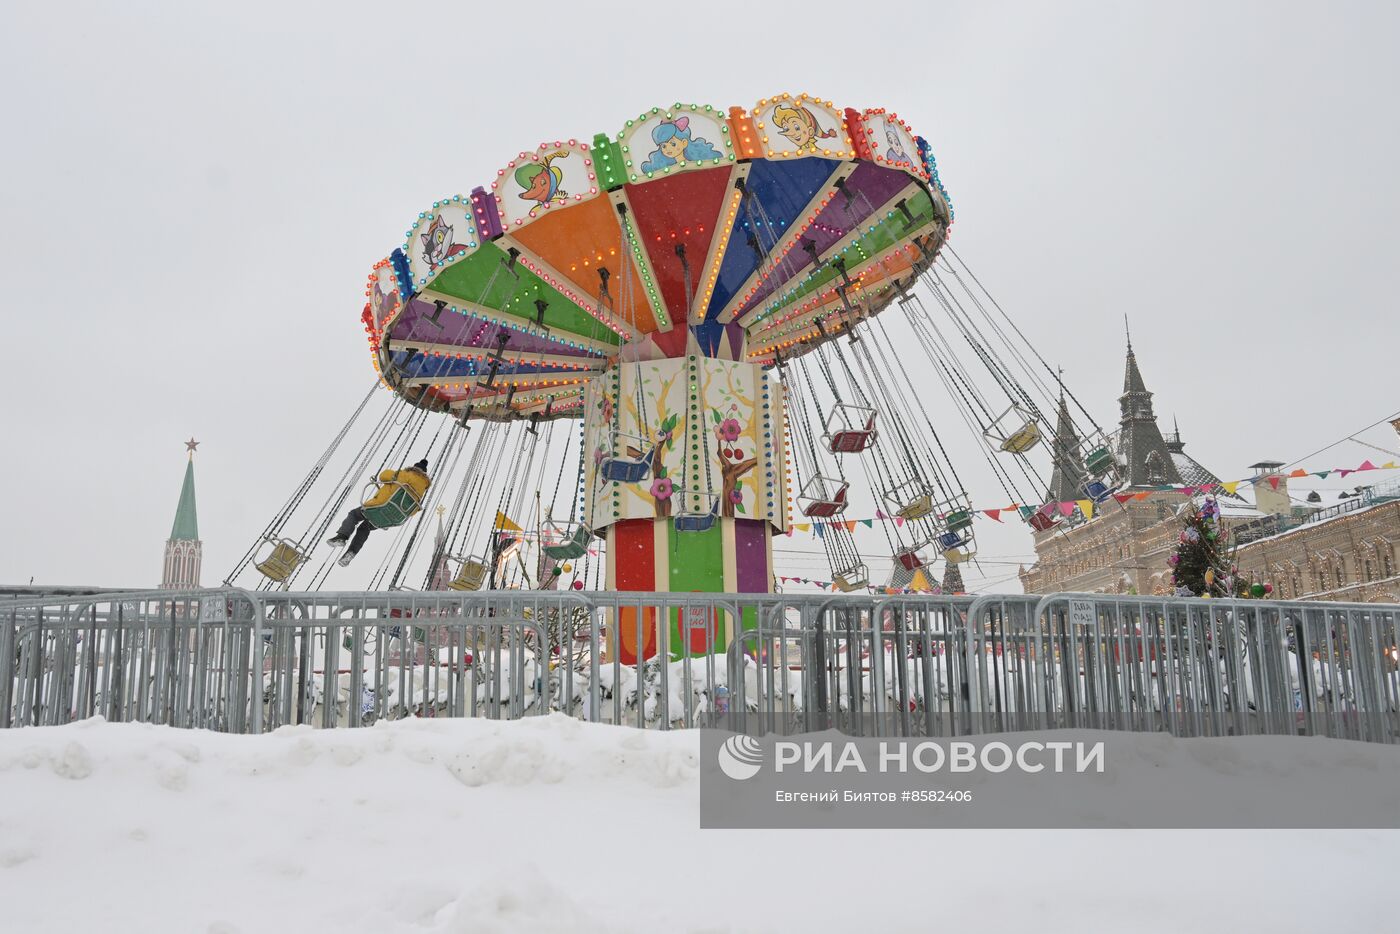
pixel 688 481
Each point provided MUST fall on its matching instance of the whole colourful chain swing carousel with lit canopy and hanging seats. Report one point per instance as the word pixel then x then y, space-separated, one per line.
pixel 635 361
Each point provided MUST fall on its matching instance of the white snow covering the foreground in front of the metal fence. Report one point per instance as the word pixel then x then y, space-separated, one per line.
pixel 556 825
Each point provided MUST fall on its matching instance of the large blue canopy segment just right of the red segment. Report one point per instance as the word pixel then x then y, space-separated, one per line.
pixel 783 190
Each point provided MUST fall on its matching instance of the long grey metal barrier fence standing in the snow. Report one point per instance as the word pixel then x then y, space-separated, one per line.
pixel 239 662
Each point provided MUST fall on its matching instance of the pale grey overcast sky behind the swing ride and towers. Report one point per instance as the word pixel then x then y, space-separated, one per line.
pixel 192 197
